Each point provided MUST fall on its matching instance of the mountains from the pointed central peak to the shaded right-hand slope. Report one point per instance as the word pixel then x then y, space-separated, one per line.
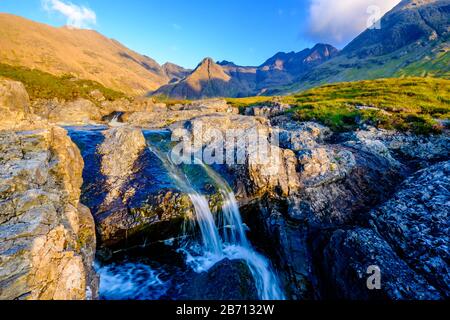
pixel 413 41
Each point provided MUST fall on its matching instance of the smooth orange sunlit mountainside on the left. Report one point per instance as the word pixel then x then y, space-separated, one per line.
pixel 83 53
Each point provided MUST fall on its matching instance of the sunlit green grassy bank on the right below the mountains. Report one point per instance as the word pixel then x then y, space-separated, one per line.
pixel 407 104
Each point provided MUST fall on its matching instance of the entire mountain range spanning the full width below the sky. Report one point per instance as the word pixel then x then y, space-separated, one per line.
pixel 413 41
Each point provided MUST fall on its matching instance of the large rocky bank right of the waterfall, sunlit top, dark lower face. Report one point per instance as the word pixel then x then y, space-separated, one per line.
pixel 321 183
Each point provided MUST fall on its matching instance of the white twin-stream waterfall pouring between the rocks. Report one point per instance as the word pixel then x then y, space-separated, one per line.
pixel 234 245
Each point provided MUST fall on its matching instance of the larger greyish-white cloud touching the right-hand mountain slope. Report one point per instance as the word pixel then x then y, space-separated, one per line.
pixel 339 21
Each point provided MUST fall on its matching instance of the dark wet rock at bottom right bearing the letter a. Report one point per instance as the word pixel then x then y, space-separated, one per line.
pixel 347 259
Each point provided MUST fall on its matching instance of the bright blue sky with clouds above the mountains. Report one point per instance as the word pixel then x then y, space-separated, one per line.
pixel 246 32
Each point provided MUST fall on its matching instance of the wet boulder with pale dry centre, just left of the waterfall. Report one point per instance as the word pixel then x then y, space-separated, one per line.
pixel 131 197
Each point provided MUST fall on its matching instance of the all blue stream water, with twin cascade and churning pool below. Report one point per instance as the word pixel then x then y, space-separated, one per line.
pixel 154 275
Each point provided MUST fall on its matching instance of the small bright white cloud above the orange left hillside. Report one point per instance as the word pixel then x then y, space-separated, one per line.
pixel 77 16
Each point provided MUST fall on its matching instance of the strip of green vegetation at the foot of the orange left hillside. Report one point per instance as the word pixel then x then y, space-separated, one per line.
pixel 44 85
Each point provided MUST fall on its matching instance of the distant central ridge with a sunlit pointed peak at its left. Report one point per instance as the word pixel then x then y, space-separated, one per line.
pixel 226 79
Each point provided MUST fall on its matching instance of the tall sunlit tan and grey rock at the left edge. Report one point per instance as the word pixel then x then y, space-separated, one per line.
pixel 47 237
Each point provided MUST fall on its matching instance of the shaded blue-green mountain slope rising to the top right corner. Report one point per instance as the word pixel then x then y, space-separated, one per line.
pixel 413 41
